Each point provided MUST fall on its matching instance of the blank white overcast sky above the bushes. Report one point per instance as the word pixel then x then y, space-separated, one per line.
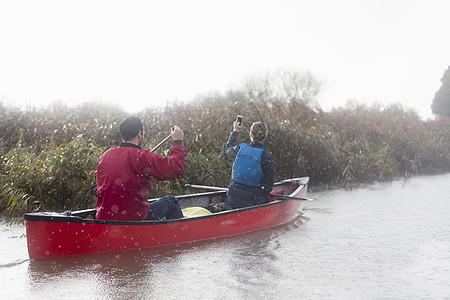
pixel 138 53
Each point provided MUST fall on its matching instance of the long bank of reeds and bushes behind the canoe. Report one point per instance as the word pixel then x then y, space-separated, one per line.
pixel 49 155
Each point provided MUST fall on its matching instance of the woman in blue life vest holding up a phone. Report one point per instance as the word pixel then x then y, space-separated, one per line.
pixel 252 175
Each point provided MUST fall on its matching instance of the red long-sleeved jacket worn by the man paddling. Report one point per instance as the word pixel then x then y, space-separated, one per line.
pixel 124 176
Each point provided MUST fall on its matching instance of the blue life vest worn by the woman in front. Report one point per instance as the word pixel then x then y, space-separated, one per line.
pixel 247 166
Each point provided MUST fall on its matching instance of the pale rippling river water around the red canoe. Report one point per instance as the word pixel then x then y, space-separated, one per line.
pixel 384 241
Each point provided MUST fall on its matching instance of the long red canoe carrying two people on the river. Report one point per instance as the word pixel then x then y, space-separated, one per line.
pixel 59 234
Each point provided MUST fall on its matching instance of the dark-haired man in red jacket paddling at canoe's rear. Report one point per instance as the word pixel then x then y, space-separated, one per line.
pixel 124 176
